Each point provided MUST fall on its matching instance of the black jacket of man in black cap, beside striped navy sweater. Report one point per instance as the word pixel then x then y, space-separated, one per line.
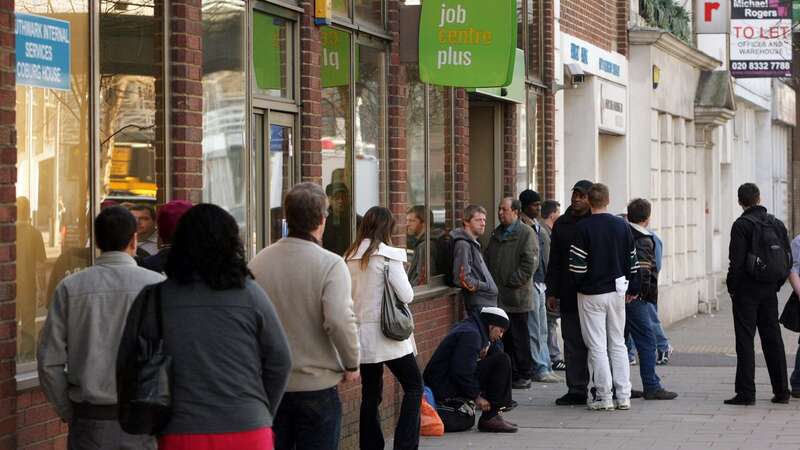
pixel 560 282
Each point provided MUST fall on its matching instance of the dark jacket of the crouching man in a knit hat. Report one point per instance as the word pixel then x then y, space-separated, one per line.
pixel 453 368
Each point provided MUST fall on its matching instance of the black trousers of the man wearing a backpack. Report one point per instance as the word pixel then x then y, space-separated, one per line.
pixel 751 311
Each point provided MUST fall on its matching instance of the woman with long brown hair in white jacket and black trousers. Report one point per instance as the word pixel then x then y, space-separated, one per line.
pixel 365 259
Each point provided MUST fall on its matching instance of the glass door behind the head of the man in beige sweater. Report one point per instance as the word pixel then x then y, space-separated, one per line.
pixel 274 143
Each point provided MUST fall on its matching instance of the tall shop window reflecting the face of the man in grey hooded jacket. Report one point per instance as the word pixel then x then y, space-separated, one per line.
pixel 427 119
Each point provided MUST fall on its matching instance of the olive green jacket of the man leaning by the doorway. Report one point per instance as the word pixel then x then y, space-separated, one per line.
pixel 512 259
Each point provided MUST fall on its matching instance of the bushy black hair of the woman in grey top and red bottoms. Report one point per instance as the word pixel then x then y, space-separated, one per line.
pixel 207 245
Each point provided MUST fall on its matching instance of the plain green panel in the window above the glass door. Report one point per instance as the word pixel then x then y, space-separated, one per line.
pixel 267 50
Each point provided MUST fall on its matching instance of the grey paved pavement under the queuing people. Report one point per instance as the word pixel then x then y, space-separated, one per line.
pixel 701 371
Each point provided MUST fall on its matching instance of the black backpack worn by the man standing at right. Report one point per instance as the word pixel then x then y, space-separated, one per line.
pixel 769 259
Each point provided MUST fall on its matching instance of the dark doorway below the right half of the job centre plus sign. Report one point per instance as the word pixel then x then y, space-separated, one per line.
pixel 485 150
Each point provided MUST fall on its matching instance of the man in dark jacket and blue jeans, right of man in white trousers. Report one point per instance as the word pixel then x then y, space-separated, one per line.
pixel 638 312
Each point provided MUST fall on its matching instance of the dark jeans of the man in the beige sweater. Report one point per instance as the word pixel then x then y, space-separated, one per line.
pixel 308 421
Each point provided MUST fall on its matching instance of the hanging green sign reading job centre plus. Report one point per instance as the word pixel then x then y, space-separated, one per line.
pixel 467 43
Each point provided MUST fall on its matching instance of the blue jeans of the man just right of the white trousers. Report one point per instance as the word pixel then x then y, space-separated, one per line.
pixel 640 326
